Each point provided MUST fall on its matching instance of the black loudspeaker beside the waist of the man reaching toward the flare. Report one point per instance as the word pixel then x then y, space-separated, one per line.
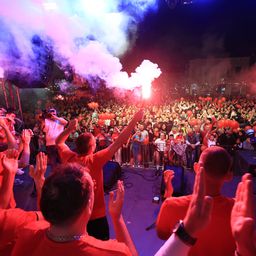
pixel 111 174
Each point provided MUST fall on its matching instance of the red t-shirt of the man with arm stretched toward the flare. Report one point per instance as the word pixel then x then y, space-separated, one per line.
pixel 94 162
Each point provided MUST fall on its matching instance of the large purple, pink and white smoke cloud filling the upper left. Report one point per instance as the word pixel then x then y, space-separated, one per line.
pixel 89 35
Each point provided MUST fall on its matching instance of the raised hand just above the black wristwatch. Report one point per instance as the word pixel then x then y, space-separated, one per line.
pixel 199 212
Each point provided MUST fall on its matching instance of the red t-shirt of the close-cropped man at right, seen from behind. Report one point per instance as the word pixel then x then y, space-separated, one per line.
pixel 215 239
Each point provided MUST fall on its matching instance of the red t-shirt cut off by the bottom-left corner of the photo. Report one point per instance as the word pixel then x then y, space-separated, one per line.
pixel 11 221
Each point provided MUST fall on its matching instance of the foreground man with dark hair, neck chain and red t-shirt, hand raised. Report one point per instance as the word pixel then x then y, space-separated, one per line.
pixel 66 203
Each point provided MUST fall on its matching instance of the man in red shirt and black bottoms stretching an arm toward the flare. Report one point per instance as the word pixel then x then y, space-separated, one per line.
pixel 85 146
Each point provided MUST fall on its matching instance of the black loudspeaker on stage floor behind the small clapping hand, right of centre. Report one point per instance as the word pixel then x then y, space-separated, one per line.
pixel 178 181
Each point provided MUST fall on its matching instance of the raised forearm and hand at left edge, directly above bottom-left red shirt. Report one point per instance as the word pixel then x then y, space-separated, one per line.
pixel 10 166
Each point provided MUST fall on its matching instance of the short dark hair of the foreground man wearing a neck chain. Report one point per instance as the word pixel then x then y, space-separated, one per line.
pixel 65 194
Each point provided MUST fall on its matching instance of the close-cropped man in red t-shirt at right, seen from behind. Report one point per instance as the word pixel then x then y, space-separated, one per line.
pixel 216 238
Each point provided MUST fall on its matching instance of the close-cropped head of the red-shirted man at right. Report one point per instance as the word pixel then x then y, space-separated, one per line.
pixel 216 161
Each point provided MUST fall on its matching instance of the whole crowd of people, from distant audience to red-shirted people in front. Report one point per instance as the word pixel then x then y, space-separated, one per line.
pixel 71 219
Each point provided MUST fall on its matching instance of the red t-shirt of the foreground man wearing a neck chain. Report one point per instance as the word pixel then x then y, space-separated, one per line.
pixel 33 241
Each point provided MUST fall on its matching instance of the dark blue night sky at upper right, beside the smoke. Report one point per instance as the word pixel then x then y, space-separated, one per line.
pixel 207 28
